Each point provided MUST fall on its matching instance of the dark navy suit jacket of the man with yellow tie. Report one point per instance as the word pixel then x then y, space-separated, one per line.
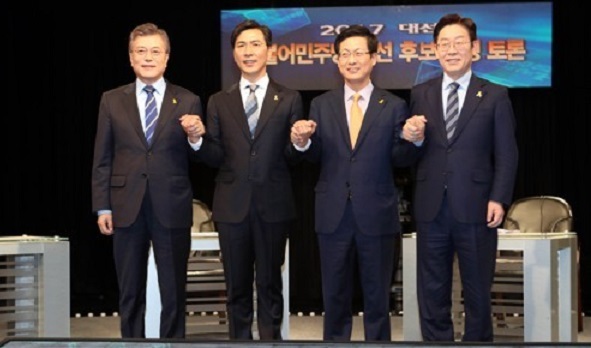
pixel 364 175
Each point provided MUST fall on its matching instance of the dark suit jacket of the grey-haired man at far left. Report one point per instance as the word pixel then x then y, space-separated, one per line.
pixel 125 166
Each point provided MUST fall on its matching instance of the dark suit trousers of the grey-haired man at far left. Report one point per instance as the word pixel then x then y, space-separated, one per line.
pixel 171 247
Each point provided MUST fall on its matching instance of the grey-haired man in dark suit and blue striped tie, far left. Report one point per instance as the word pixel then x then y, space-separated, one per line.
pixel 140 182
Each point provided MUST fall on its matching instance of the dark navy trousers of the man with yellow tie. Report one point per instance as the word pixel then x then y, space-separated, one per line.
pixel 375 261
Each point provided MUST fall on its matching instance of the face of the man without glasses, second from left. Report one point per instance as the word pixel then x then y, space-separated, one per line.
pixel 250 54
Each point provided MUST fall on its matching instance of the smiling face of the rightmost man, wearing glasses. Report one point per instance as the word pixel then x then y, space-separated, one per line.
pixel 454 50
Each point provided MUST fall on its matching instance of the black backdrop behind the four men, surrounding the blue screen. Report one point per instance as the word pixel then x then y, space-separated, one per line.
pixel 58 60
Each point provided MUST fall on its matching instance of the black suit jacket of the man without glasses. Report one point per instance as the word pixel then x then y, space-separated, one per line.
pixel 252 170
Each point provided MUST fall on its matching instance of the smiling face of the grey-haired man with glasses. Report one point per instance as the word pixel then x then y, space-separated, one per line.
pixel 148 57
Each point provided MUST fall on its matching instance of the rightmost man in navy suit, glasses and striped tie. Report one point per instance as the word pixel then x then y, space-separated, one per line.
pixel 464 182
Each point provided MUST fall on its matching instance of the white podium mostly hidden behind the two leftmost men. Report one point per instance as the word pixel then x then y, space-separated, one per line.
pixel 202 241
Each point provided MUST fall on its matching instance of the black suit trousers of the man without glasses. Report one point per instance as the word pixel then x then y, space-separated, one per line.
pixel 248 246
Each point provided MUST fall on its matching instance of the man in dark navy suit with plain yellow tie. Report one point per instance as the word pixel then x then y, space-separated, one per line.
pixel 356 199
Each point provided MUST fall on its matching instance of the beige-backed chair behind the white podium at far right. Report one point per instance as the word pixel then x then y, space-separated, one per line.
pixel 530 214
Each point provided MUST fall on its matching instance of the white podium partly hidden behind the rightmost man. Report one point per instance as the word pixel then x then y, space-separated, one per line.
pixel 550 291
